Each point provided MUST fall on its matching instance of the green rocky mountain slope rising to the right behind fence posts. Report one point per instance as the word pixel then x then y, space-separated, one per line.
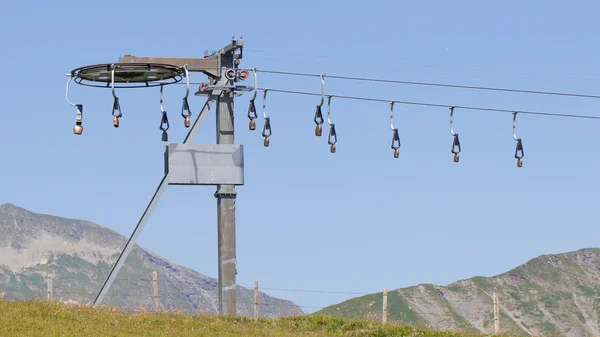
pixel 551 295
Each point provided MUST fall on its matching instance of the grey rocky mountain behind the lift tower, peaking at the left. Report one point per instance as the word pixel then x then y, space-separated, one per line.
pixel 78 256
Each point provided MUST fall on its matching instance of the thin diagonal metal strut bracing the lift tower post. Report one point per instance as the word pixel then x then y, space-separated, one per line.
pixel 157 194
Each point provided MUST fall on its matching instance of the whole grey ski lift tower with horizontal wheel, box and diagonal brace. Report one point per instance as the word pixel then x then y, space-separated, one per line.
pixel 220 164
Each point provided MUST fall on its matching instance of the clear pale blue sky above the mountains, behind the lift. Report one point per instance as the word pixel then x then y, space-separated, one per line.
pixel 357 220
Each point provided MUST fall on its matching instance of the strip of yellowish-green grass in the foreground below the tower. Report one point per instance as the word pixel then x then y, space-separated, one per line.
pixel 36 318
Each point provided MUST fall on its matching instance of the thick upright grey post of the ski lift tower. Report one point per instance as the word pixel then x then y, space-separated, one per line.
pixel 226 195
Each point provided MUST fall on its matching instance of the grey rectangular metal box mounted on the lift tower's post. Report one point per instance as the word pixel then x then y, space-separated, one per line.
pixel 204 164
